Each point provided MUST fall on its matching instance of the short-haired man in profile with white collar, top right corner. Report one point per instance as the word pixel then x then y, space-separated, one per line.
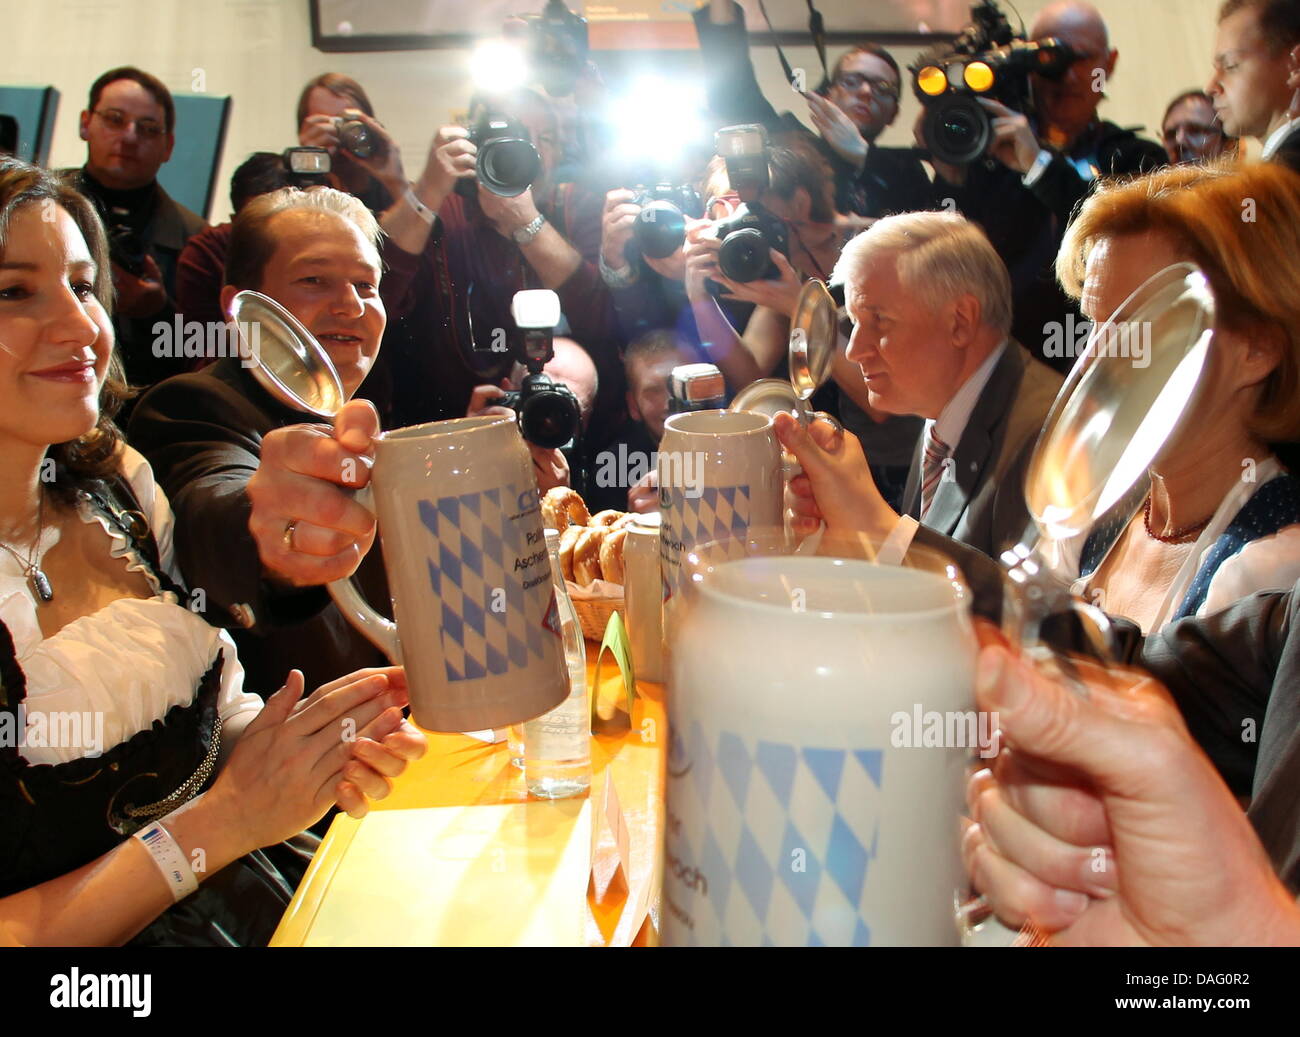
pixel 1254 86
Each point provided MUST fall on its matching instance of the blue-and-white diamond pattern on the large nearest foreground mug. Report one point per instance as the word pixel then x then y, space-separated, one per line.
pixel 787 840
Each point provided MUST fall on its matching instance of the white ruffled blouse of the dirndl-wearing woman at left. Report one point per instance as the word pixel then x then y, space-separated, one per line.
pixel 122 669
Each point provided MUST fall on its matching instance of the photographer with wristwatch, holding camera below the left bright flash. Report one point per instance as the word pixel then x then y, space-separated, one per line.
pixel 483 250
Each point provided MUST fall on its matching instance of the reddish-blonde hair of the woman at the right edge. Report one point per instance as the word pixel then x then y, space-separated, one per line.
pixel 1241 224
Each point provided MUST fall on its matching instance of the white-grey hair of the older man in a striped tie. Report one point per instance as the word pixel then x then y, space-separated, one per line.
pixel 942 257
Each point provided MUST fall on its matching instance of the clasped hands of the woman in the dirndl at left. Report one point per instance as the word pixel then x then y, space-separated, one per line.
pixel 283 774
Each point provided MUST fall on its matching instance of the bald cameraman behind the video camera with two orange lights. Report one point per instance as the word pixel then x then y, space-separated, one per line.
pixel 1042 163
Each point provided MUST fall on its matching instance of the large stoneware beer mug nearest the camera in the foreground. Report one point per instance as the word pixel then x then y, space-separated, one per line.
pixel 822 715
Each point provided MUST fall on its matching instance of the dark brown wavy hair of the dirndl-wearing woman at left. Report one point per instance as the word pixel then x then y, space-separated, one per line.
pixel 96 455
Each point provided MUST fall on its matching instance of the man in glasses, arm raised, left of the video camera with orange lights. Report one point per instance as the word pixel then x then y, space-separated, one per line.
pixel 856 103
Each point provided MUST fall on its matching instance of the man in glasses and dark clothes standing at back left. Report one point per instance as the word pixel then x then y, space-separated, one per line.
pixel 129 133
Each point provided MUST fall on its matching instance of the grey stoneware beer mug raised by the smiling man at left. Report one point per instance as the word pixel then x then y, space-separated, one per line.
pixel 478 628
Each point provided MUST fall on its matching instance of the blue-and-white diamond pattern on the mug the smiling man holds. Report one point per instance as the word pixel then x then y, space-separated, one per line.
pixel 491 626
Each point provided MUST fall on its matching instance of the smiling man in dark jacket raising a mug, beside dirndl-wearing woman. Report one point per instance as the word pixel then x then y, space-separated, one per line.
pixel 257 527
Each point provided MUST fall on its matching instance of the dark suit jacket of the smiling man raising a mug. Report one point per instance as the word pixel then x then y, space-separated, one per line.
pixel 202 433
